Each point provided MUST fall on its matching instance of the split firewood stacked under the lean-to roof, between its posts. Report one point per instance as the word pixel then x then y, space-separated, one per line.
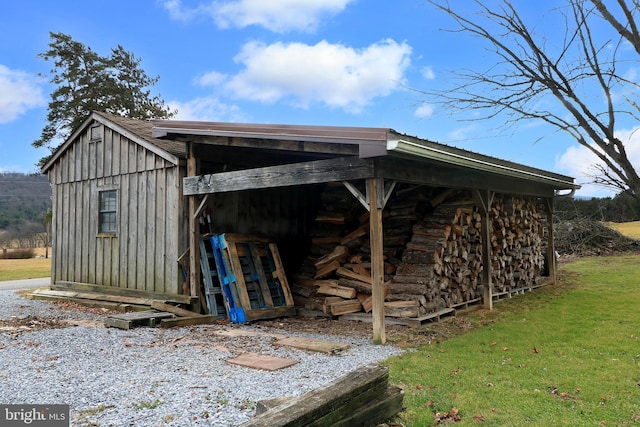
pixel 432 250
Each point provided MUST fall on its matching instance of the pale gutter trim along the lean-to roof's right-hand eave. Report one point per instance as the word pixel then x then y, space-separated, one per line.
pixel 411 148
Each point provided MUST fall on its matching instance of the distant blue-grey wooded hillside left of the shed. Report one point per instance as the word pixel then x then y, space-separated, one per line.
pixel 23 198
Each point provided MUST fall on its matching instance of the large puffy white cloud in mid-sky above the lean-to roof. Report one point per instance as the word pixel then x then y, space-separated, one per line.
pixel 333 74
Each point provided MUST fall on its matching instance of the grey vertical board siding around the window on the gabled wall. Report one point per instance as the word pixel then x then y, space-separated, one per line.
pixel 150 215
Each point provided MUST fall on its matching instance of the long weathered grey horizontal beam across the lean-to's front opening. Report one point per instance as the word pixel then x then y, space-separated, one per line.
pixel 314 172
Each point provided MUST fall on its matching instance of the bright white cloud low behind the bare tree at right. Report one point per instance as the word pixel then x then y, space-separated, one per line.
pixel 578 161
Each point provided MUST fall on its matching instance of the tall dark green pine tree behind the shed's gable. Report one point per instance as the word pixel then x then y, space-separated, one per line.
pixel 86 82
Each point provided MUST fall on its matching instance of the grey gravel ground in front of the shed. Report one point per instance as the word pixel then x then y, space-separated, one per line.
pixel 151 376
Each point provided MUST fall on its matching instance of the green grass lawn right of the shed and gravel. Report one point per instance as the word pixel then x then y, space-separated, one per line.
pixel 564 355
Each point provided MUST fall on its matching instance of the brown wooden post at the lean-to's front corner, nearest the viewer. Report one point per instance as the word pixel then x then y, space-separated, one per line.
pixel 375 189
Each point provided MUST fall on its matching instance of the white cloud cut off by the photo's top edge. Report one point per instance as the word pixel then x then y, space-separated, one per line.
pixel 277 16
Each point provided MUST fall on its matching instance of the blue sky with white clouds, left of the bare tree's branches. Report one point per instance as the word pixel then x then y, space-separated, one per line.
pixel 320 62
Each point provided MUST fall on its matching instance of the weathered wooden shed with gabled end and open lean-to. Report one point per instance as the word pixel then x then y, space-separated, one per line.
pixel 431 225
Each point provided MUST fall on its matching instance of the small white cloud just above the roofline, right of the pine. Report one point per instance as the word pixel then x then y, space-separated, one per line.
pixel 209 109
